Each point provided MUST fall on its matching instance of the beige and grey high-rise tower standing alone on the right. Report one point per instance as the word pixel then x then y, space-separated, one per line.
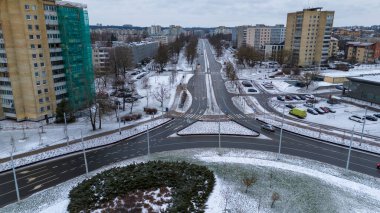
pixel 308 34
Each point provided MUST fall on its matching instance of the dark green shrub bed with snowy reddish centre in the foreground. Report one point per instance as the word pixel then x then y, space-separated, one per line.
pixel 153 186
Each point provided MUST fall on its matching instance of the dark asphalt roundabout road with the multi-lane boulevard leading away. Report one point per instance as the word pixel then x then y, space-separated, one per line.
pixel 34 178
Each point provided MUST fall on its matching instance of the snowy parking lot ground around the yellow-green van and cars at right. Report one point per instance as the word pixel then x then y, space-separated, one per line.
pixel 340 119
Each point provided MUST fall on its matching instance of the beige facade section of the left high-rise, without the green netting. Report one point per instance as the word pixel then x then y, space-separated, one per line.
pixel 28 69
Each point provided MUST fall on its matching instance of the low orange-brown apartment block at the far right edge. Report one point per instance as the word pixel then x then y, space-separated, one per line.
pixel 363 52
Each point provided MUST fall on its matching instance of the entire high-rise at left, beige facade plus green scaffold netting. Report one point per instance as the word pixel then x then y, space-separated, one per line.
pixel 44 57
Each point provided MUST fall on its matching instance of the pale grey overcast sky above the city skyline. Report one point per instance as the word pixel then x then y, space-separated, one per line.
pixel 211 13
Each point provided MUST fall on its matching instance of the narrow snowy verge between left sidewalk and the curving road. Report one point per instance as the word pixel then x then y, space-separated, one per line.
pixel 100 141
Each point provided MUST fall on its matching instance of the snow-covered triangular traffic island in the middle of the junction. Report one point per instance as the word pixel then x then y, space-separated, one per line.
pixel 212 128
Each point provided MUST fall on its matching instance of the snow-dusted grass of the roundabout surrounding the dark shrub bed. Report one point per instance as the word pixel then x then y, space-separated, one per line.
pixel 303 185
